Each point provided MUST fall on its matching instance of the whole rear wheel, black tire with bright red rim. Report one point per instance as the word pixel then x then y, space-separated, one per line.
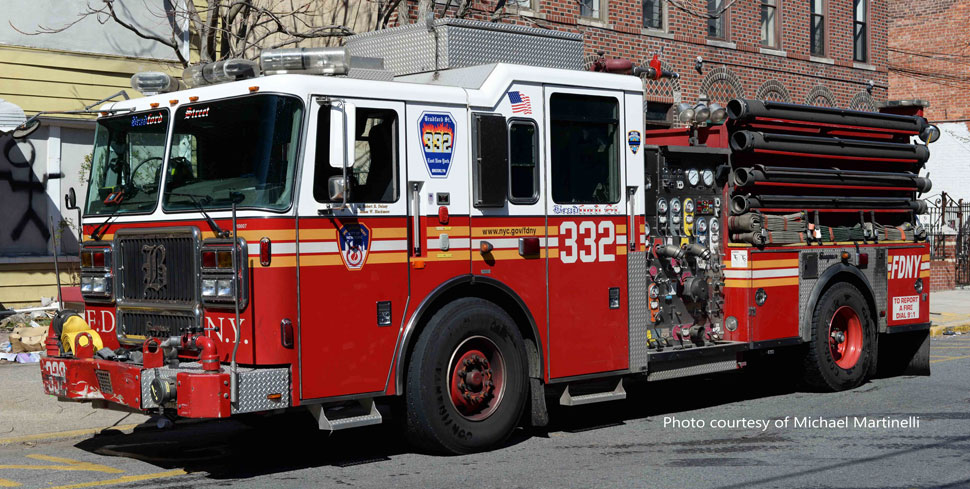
pixel 843 339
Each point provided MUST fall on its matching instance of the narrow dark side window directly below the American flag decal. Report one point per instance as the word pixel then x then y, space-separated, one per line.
pixel 523 162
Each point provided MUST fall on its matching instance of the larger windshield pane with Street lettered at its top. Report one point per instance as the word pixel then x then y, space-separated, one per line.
pixel 244 148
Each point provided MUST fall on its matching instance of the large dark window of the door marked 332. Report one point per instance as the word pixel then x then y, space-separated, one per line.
pixel 585 149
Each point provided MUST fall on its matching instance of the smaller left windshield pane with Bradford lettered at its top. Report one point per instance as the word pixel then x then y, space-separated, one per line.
pixel 127 162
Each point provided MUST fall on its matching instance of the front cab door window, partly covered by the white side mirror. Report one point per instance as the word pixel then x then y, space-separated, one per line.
pixel 373 178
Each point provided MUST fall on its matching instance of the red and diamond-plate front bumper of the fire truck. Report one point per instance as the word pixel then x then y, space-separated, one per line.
pixel 199 394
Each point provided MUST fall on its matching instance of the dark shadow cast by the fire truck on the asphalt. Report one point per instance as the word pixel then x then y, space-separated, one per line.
pixel 231 449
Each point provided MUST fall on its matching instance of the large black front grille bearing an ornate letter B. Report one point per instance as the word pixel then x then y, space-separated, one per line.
pixel 158 268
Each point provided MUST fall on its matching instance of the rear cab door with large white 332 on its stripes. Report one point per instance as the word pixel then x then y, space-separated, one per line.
pixel 586 209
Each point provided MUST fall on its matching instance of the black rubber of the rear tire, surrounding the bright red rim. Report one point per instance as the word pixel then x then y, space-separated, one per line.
pixel 821 372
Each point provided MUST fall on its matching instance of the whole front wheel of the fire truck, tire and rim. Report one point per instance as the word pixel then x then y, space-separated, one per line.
pixel 466 384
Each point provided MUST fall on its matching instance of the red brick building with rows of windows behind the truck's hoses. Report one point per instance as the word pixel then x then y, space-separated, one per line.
pixel 821 52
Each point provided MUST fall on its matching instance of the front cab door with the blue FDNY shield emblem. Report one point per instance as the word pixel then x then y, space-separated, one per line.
pixel 353 269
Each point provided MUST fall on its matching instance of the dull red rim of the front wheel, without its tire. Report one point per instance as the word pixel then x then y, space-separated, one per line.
pixel 476 377
